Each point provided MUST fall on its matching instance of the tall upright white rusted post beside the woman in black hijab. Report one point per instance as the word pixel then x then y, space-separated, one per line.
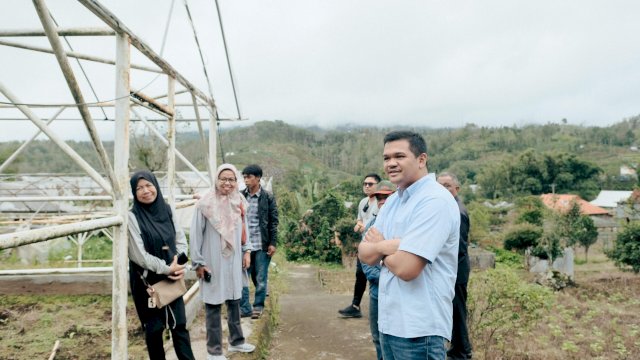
pixel 121 201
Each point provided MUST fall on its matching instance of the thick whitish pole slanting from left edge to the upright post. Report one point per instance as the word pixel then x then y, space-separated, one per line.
pixel 20 238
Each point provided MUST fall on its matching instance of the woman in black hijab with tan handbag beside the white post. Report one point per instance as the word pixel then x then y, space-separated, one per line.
pixel 155 240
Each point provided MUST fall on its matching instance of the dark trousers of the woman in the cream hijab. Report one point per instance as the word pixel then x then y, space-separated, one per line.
pixel 214 326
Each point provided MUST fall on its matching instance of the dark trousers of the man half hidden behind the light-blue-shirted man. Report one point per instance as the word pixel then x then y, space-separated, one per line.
pixel 460 344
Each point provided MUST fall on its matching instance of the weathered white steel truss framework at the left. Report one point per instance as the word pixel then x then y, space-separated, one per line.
pixel 115 184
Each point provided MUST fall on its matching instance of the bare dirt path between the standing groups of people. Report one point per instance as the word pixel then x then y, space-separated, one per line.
pixel 310 327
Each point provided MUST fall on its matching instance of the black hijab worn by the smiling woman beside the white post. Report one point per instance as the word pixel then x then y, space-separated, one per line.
pixel 155 220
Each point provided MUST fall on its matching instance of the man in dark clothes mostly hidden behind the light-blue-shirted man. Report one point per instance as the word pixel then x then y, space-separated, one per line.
pixel 460 344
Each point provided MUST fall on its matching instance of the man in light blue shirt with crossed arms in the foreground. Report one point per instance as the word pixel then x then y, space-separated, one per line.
pixel 416 238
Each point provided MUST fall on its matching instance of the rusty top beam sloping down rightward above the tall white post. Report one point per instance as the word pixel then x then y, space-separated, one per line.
pixel 115 23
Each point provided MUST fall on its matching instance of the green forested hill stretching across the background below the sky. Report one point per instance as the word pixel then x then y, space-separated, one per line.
pixel 576 158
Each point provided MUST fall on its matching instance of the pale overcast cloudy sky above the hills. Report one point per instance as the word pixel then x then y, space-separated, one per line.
pixel 335 62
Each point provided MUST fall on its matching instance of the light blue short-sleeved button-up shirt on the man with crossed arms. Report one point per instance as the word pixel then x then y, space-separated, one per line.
pixel 426 219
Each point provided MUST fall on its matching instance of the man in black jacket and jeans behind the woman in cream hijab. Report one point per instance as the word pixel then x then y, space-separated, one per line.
pixel 262 221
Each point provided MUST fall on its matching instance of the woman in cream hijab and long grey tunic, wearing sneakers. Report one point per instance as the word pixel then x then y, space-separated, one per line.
pixel 217 250
